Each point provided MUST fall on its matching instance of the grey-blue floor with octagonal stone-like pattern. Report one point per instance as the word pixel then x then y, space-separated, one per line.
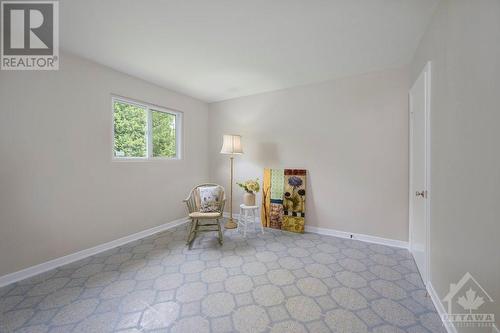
pixel 276 282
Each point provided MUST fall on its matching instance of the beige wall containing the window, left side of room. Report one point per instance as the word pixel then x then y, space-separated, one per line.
pixel 60 190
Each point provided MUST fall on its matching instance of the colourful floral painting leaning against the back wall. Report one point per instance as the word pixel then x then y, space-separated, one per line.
pixel 284 199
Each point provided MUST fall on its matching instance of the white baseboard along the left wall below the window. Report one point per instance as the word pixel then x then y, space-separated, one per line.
pixel 48 265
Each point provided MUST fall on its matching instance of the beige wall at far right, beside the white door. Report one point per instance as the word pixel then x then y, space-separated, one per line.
pixel 463 43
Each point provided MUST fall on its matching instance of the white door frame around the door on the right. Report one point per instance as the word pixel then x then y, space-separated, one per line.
pixel 426 71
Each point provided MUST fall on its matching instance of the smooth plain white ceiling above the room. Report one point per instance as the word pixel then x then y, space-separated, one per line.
pixel 220 49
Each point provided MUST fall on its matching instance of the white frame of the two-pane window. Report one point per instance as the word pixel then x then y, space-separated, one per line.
pixel 149 130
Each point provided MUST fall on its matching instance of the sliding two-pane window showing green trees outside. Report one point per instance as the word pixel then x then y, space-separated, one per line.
pixel 142 131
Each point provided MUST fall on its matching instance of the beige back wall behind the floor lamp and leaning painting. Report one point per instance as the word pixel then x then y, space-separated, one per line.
pixel 350 134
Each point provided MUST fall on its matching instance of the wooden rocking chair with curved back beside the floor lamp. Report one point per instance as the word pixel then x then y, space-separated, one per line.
pixel 197 218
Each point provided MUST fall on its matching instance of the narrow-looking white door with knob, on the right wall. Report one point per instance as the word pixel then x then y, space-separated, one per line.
pixel 419 171
